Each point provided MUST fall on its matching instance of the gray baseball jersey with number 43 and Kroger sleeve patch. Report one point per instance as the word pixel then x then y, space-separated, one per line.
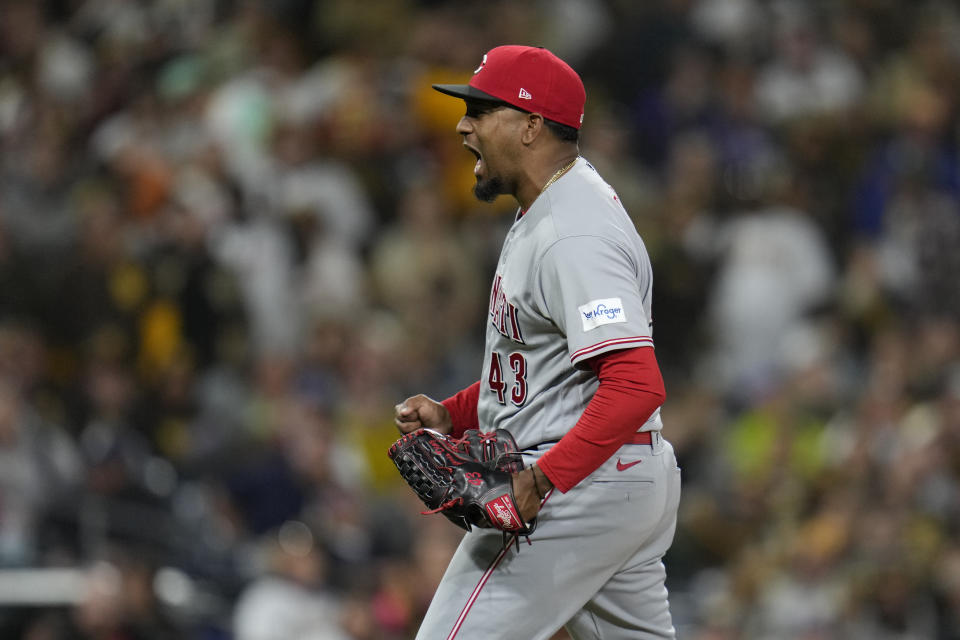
pixel 573 281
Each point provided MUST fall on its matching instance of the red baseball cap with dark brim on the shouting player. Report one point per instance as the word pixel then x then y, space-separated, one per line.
pixel 529 78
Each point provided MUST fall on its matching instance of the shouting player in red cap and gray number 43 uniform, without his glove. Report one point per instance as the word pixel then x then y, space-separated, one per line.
pixel 569 370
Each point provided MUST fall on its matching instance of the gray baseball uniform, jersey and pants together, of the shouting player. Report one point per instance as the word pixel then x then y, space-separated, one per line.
pixel 573 281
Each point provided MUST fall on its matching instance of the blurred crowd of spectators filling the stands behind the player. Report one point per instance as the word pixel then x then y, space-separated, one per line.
pixel 233 234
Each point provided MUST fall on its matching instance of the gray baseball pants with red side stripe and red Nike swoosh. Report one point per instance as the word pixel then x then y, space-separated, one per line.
pixel 594 564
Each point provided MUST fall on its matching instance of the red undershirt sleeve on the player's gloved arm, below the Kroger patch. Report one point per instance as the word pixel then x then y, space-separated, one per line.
pixel 631 389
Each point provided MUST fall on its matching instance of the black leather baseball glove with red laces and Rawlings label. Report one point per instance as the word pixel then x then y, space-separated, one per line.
pixel 469 480
